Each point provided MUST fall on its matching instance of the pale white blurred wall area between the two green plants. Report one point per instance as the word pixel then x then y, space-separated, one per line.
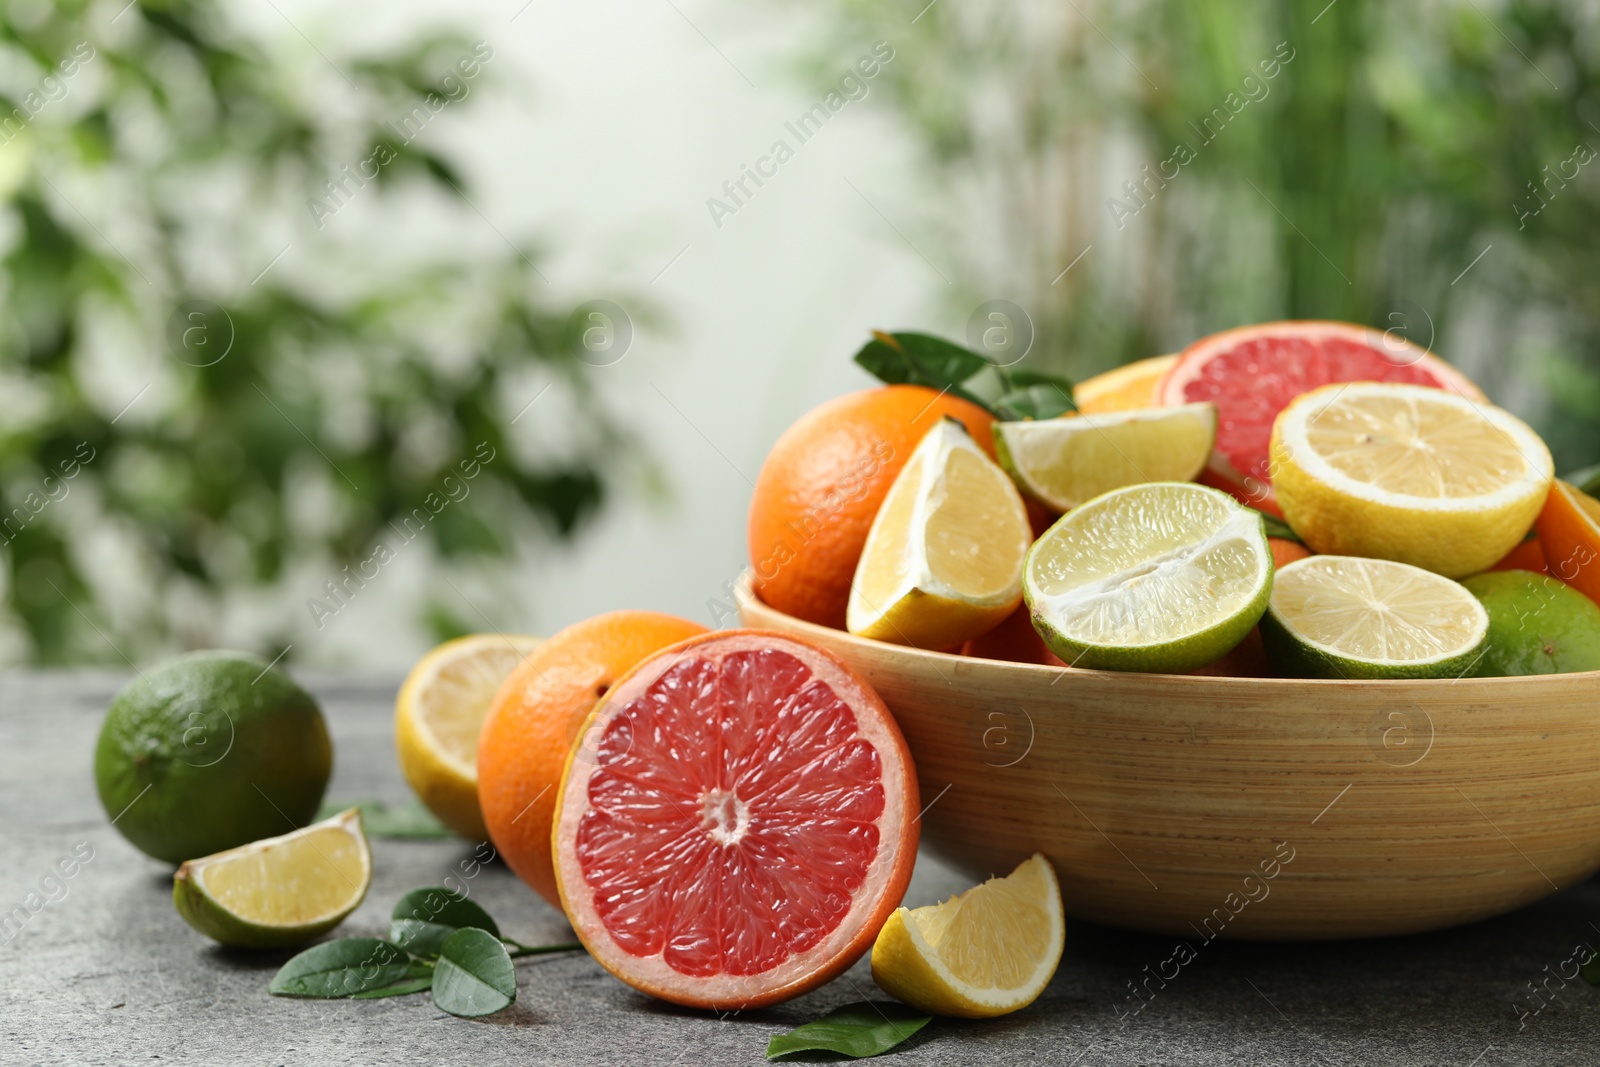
pixel 604 129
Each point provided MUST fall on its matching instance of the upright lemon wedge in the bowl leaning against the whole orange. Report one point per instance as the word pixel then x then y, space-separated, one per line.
pixel 943 559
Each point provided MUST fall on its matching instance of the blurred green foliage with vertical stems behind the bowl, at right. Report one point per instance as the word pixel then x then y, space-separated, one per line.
pixel 1362 182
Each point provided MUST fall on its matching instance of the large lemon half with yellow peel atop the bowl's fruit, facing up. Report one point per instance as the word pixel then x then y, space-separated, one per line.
pixel 1409 474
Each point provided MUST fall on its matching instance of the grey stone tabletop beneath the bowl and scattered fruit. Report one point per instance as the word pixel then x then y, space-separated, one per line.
pixel 106 973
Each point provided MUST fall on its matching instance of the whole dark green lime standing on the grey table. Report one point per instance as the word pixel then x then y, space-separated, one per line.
pixel 210 751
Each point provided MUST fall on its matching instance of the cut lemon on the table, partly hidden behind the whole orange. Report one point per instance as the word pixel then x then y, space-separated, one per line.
pixel 439 714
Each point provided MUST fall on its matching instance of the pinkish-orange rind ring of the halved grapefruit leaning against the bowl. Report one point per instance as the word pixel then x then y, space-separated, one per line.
pixel 871 905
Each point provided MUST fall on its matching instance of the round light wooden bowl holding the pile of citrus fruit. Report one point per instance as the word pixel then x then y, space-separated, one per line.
pixel 1257 809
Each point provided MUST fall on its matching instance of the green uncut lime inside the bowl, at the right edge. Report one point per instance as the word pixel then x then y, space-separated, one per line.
pixel 1538 625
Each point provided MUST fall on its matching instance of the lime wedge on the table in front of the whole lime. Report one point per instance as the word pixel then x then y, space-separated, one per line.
pixel 281 892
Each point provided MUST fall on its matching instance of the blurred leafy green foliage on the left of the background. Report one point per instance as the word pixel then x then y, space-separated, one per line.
pixel 239 428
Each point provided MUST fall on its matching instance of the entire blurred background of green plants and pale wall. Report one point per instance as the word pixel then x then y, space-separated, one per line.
pixel 330 332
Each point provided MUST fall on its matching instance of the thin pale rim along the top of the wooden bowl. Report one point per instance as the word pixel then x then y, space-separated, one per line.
pixel 1478 687
